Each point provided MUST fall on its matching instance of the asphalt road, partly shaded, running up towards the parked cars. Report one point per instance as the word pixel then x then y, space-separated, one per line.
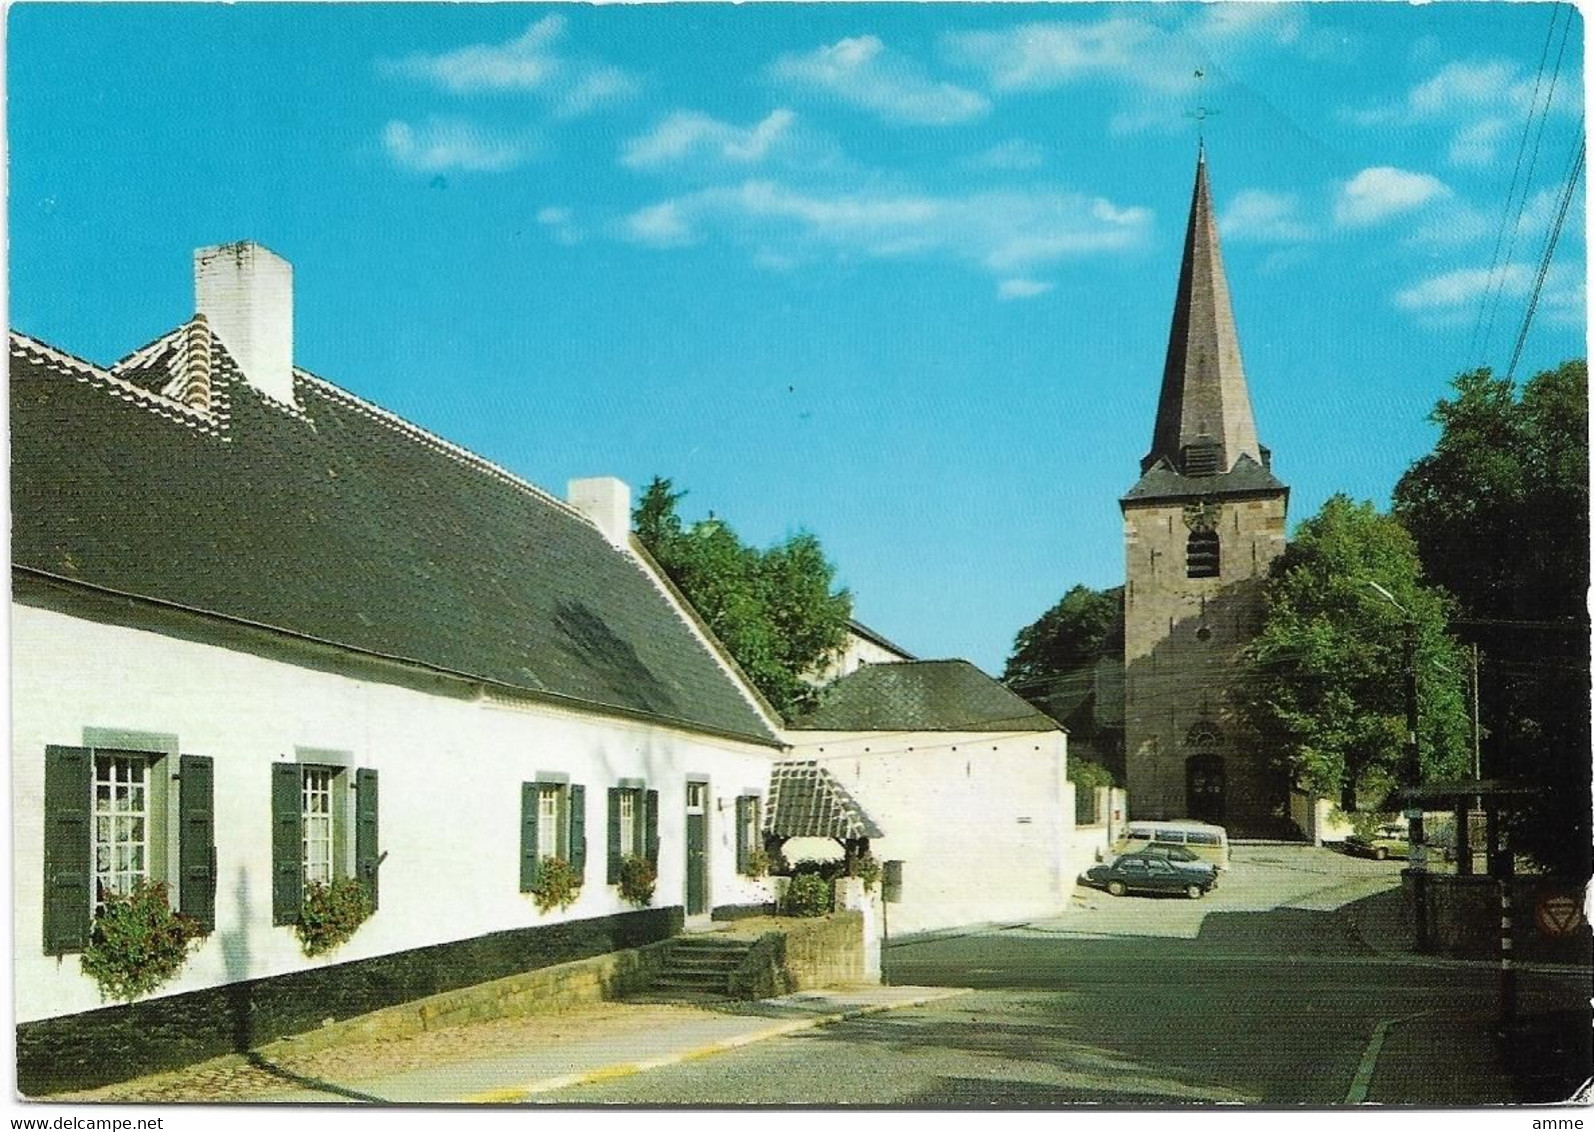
pixel 1260 996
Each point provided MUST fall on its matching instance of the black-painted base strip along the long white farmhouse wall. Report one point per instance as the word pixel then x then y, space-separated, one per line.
pixel 84 1051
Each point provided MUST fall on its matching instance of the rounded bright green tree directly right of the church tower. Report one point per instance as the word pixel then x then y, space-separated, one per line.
pixel 1329 693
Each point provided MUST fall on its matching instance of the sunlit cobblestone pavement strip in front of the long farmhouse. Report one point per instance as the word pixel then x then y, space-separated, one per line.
pixel 280 1067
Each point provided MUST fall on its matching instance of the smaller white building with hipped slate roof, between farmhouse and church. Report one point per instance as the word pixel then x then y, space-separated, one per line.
pixel 951 774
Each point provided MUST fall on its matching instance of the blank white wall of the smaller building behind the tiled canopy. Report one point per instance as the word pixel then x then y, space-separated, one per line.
pixel 983 823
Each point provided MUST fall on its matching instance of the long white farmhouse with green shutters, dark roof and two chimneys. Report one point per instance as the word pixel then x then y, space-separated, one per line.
pixel 267 635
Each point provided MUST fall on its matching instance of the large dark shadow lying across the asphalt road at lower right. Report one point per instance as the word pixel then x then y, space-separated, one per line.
pixel 1255 1000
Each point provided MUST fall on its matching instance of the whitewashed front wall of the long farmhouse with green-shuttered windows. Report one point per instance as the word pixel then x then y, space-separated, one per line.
pixel 450 776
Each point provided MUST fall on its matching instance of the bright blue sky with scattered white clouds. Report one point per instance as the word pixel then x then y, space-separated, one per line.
pixel 900 275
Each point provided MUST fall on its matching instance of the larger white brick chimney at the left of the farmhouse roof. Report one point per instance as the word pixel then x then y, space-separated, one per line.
pixel 246 294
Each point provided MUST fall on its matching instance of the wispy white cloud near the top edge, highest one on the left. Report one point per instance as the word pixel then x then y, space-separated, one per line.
pixel 528 63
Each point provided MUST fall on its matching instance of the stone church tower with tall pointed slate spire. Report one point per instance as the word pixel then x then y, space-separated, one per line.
pixel 1201 529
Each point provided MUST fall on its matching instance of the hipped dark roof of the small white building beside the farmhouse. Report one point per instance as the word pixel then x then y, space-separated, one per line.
pixel 922 696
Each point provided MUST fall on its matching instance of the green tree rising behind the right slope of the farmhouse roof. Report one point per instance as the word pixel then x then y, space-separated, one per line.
pixel 775 611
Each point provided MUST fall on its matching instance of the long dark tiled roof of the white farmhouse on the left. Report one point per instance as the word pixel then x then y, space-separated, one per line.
pixel 348 525
